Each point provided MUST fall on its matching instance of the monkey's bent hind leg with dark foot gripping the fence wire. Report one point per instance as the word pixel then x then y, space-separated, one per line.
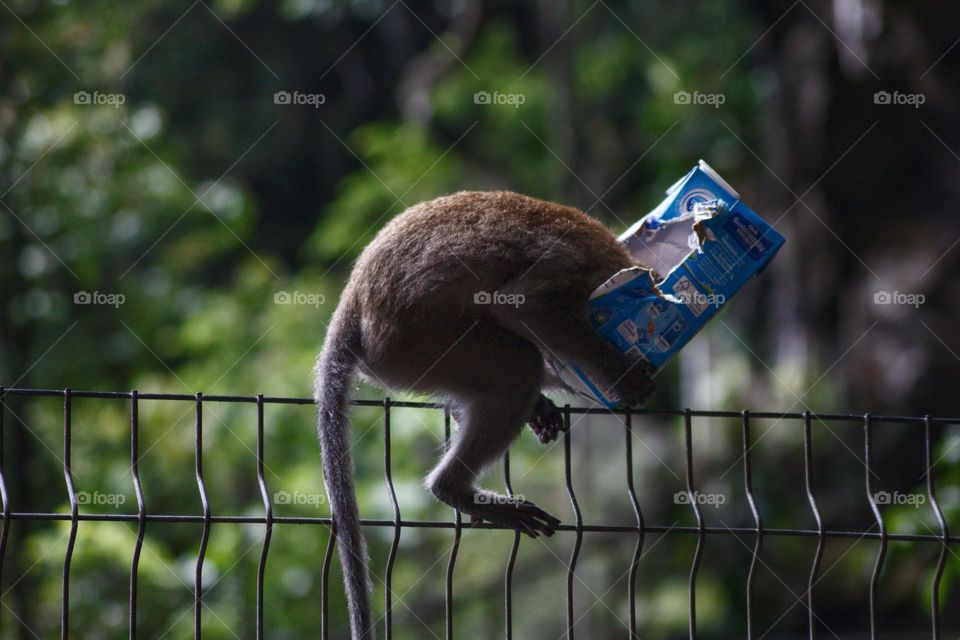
pixel 490 403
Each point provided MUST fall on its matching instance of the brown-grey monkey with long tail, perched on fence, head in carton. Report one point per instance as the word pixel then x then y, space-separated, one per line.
pixel 408 319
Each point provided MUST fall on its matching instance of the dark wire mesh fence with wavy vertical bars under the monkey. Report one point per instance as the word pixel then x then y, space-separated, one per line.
pixel 761 534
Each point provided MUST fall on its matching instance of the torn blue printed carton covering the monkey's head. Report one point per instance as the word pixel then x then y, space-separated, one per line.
pixel 702 245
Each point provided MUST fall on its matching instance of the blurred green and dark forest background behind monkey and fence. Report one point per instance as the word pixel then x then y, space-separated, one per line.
pixel 187 169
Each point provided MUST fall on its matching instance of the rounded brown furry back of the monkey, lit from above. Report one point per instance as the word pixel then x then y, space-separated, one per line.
pixel 439 254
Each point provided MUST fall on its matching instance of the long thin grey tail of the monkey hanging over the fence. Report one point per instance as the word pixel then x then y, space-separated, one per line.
pixel 334 377
